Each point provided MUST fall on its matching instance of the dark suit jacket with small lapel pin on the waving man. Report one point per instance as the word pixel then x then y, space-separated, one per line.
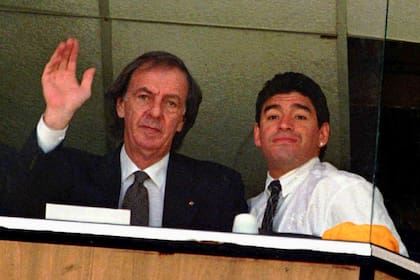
pixel 198 194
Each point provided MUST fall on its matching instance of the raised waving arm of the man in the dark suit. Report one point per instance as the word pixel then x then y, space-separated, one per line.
pixel 63 95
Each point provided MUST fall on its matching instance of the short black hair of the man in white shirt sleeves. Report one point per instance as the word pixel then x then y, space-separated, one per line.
pixel 285 83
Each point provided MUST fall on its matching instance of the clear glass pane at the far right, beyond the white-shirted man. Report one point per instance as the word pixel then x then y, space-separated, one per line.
pixel 398 176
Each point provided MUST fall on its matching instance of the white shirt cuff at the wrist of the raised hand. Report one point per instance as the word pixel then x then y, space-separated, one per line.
pixel 48 139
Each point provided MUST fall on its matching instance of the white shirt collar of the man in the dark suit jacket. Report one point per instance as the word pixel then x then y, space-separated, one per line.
pixel 156 172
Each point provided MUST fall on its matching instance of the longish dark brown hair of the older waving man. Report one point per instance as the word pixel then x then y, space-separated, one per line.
pixel 153 59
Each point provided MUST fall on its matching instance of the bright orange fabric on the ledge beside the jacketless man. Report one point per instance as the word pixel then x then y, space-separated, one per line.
pixel 376 234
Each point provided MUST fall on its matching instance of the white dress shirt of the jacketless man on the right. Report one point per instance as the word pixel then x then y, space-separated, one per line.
pixel 317 196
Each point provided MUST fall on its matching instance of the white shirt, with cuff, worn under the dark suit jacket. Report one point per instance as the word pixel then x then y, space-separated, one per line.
pixel 49 139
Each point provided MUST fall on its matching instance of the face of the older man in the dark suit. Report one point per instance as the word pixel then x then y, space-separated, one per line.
pixel 153 110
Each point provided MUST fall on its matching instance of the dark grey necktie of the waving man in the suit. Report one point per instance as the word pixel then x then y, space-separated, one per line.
pixel 137 200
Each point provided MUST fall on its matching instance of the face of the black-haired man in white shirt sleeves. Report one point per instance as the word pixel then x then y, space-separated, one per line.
pixel 288 132
